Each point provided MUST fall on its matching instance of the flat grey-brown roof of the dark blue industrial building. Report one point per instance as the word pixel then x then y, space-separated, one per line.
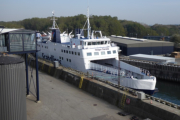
pixel 134 42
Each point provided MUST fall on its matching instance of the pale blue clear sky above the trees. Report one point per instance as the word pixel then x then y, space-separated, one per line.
pixel 143 11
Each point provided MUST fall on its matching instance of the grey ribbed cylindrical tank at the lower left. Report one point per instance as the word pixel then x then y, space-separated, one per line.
pixel 12 88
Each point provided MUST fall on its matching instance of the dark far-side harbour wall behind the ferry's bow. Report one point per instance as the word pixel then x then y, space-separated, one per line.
pixel 165 72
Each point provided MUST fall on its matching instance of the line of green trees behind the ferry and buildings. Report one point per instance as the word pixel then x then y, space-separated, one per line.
pixel 107 24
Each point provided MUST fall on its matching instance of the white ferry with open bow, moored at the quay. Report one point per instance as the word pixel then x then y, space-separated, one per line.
pixel 94 52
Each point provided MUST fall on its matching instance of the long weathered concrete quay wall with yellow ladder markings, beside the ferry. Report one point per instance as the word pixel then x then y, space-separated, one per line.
pixel 142 108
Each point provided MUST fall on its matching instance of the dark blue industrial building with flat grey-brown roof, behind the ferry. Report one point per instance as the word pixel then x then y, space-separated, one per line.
pixel 130 46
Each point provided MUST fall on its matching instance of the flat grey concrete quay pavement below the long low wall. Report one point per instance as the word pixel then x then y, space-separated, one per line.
pixel 60 100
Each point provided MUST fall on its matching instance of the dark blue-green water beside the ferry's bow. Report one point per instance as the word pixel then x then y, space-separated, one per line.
pixel 168 91
